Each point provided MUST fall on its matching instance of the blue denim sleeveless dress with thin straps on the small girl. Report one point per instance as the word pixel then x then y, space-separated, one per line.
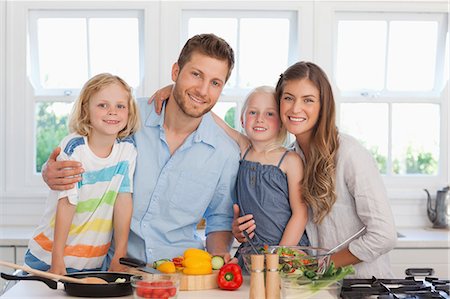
pixel 262 190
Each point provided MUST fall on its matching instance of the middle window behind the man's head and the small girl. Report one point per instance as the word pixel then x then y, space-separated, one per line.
pixel 254 36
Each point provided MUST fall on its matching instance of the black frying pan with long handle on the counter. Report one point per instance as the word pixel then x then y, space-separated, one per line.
pixel 112 289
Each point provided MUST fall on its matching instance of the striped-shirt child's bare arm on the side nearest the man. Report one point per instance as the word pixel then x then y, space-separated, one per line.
pixel 123 208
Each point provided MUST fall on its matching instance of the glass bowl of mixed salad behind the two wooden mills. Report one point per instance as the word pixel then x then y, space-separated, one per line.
pixel 293 258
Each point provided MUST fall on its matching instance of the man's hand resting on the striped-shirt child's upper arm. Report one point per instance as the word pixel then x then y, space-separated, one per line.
pixel 61 175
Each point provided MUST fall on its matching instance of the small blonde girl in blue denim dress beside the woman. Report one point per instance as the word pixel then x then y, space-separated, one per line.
pixel 269 177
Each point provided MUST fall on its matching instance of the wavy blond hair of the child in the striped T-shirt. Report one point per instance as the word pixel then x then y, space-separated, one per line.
pixel 80 119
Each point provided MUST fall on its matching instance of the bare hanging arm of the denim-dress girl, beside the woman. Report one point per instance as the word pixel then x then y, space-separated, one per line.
pixel 296 224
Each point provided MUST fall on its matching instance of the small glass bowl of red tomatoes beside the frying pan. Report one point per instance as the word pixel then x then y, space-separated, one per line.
pixel 156 286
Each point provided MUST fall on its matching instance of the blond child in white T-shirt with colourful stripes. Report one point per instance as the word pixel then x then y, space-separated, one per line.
pixel 76 230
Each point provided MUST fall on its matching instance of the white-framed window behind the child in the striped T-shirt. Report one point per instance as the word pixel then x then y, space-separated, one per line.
pixel 68 47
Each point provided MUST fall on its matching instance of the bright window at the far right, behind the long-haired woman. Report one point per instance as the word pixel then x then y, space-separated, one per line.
pixel 390 78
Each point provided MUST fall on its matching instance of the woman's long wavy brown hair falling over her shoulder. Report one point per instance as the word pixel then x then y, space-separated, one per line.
pixel 319 181
